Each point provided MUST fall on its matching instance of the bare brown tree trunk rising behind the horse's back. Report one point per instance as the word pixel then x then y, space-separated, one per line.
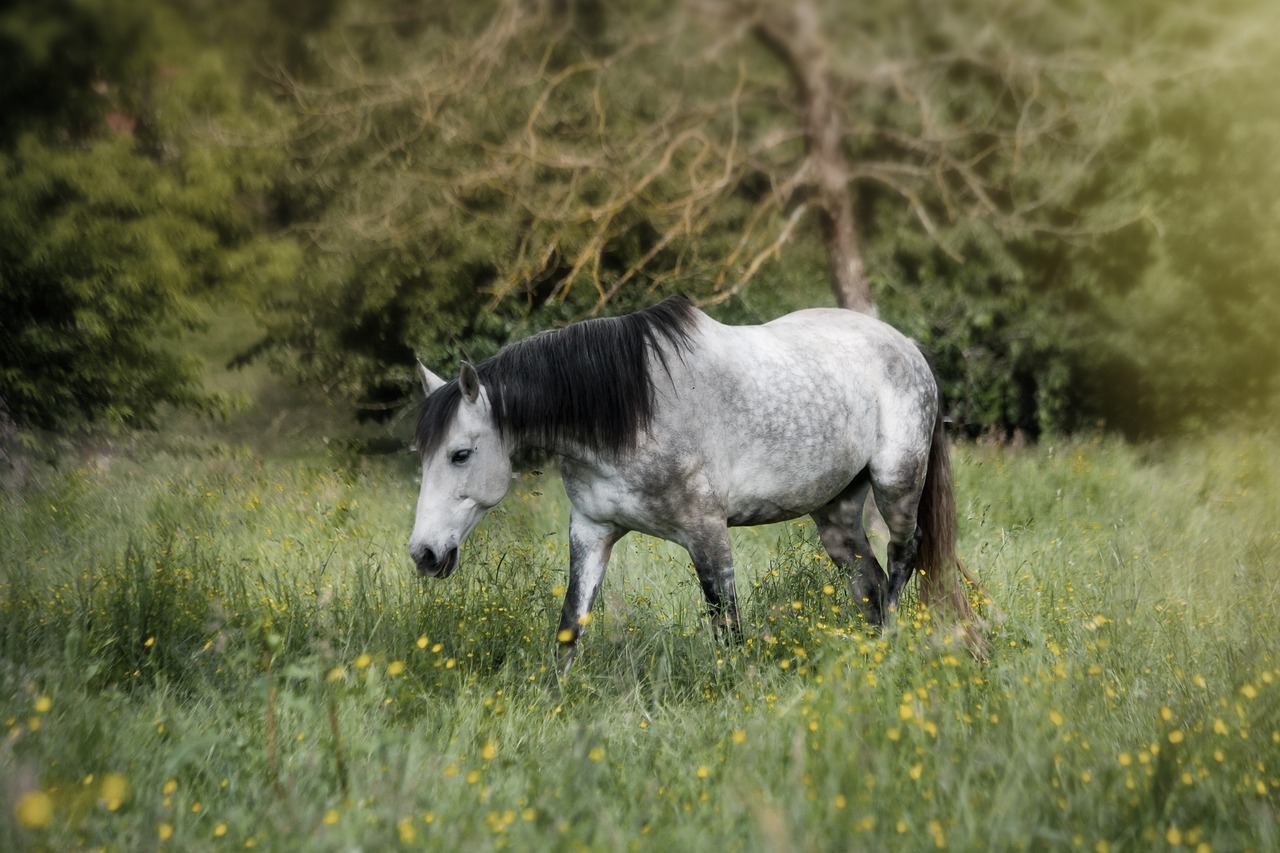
pixel 792 34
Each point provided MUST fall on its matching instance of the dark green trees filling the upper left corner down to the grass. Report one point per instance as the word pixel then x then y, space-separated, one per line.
pixel 121 211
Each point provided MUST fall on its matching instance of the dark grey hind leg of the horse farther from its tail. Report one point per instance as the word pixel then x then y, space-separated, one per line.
pixel 840 527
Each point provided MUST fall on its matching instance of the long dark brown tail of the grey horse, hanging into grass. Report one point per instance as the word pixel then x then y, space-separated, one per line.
pixel 945 583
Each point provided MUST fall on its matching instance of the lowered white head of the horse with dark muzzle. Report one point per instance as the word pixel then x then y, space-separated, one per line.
pixel 467 469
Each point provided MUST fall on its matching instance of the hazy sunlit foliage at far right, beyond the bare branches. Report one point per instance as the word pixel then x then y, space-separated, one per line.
pixel 1192 335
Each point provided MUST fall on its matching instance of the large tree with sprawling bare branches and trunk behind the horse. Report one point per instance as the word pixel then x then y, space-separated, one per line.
pixel 469 172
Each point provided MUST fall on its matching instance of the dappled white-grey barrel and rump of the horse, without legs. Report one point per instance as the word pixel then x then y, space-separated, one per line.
pixel 789 413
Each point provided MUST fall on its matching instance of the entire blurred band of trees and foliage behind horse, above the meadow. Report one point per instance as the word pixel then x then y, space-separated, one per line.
pixel 1072 203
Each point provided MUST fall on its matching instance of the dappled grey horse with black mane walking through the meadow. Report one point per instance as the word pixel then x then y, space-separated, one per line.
pixel 669 423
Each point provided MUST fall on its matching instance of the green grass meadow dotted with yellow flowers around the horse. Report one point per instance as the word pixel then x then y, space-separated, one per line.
pixel 205 649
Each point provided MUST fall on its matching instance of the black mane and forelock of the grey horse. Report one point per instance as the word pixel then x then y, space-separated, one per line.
pixel 588 384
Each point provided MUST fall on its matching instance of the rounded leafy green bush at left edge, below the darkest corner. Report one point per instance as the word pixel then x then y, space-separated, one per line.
pixel 98 272
